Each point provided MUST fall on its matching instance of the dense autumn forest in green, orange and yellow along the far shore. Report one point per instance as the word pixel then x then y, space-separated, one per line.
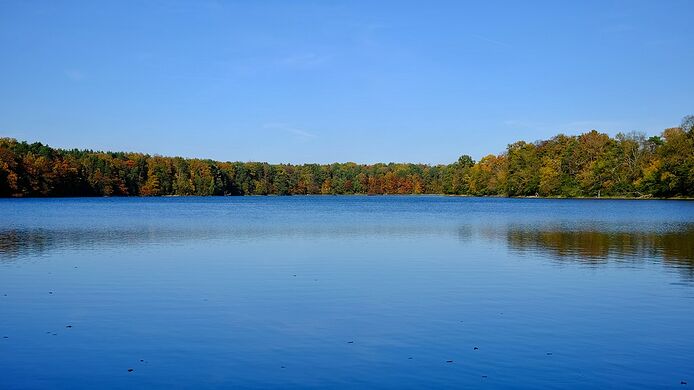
pixel 592 164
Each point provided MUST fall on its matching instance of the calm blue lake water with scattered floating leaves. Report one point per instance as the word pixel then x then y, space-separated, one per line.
pixel 346 292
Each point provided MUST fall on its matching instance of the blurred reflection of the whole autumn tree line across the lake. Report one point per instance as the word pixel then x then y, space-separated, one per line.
pixel 674 245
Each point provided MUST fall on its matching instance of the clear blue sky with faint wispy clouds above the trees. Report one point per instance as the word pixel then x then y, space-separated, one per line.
pixel 335 81
